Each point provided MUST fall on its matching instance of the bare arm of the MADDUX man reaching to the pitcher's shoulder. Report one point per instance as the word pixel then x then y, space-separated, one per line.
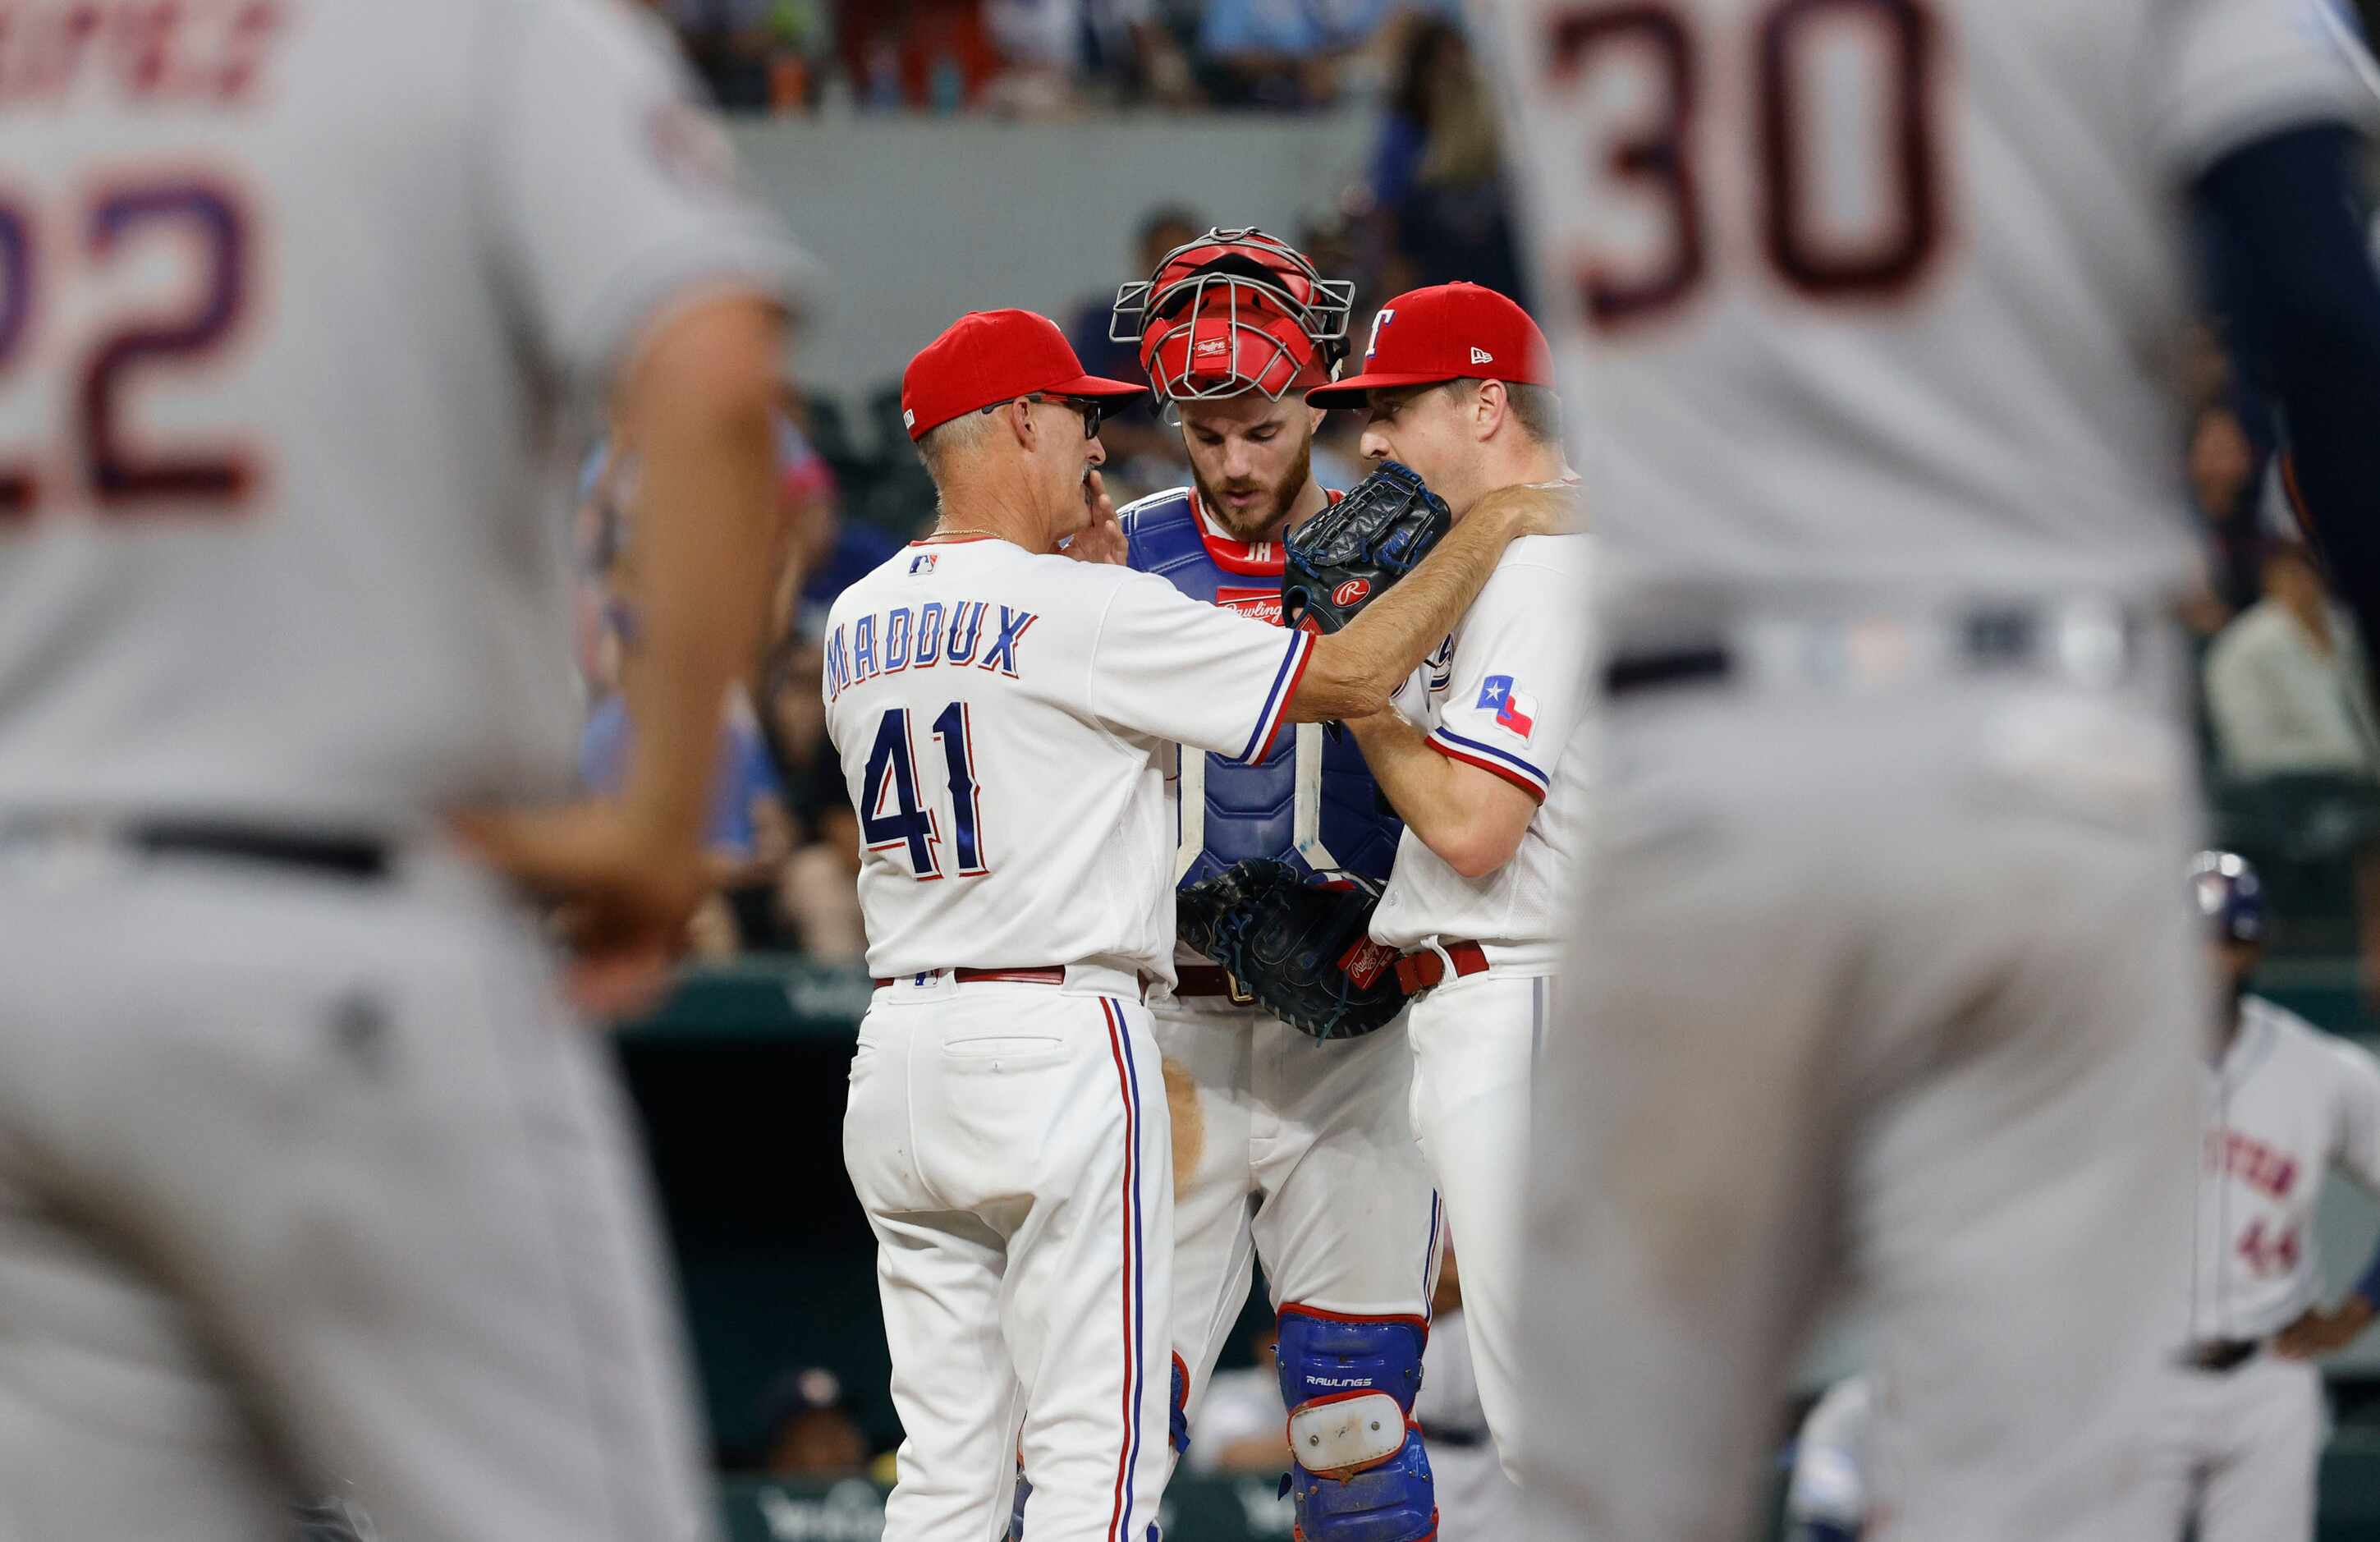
pixel 1355 672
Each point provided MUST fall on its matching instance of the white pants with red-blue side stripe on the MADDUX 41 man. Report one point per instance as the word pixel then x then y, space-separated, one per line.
pixel 1010 1146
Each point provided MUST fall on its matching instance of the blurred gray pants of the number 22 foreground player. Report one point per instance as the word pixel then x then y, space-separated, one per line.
pixel 306 1184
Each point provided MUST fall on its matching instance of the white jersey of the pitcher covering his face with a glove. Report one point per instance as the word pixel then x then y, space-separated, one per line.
pixel 1508 694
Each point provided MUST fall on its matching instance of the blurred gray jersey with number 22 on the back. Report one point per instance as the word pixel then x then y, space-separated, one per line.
pixel 289 301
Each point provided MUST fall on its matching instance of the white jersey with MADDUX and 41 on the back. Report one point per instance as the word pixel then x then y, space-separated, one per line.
pixel 1008 727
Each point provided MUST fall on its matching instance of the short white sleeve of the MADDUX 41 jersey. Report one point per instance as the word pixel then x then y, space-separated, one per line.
pixel 1186 672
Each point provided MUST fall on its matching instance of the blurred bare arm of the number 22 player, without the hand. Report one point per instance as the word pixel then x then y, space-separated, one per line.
pixel 701 415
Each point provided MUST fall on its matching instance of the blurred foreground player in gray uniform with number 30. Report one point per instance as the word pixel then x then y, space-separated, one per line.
pixel 1879 951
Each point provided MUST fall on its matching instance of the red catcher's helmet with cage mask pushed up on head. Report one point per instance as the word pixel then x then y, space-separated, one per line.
pixel 1232 313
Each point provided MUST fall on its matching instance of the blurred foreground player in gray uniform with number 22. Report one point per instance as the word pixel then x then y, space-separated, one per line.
pixel 308 1177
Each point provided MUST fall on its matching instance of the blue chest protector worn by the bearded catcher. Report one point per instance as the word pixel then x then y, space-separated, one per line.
pixel 1313 801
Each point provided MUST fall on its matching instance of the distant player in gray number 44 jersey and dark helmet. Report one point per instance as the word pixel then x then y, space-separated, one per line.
pixel 2241 1419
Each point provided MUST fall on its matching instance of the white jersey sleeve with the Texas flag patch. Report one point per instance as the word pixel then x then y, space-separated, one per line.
pixel 1515 687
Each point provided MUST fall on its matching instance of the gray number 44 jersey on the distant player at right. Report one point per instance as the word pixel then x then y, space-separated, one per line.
pixel 2286 1105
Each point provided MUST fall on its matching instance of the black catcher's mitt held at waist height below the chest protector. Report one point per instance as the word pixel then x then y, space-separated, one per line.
pixel 1298 944
